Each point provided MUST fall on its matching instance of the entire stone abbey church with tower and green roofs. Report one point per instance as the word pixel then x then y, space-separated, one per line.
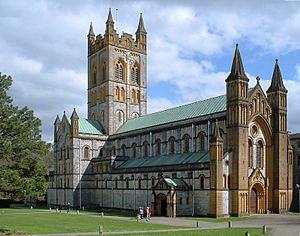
pixel 226 155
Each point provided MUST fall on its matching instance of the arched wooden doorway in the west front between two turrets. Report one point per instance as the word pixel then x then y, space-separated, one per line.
pixel 257 199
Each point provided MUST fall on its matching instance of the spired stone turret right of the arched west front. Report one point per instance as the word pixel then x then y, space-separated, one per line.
pixel 277 98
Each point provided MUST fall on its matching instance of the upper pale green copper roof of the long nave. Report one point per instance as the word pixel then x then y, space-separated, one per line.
pixel 196 109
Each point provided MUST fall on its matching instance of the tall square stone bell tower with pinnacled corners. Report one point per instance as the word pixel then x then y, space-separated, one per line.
pixel 117 75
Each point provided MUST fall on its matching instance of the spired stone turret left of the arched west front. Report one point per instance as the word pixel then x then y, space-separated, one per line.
pixel 237 132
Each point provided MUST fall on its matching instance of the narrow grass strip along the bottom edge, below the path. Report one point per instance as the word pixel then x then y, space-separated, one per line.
pixel 206 232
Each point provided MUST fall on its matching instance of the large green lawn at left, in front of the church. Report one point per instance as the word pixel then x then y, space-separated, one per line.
pixel 46 222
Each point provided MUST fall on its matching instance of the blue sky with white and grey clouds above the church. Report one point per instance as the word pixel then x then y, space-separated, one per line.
pixel 190 49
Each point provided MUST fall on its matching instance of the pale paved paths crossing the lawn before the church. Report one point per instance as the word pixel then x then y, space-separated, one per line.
pixel 282 225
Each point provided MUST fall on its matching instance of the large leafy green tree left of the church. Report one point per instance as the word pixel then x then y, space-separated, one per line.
pixel 22 168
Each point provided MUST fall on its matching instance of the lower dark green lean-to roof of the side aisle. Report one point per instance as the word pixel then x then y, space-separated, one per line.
pixel 166 160
